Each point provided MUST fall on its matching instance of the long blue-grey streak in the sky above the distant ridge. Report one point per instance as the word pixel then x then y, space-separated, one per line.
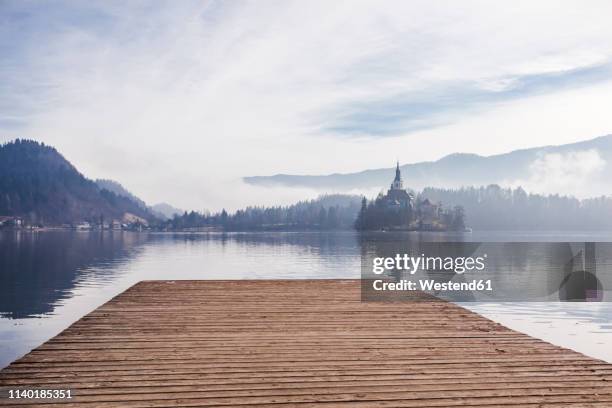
pixel 397 114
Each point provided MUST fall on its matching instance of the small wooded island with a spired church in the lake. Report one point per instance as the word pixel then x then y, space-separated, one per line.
pixel 399 209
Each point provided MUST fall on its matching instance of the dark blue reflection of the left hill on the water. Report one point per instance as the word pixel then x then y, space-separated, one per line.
pixel 39 269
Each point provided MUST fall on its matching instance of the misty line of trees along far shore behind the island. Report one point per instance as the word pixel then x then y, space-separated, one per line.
pixel 485 208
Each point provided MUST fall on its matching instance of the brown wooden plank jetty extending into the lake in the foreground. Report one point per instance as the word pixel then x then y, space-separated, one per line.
pixel 303 343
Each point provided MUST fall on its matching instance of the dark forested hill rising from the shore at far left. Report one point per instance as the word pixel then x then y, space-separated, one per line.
pixel 38 183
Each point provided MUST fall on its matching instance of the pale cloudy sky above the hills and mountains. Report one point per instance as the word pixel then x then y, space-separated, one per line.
pixel 178 100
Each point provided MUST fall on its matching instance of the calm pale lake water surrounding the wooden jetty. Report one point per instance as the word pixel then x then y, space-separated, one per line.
pixel 50 279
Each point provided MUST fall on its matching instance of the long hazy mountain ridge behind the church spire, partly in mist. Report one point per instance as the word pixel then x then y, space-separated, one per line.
pixel 583 166
